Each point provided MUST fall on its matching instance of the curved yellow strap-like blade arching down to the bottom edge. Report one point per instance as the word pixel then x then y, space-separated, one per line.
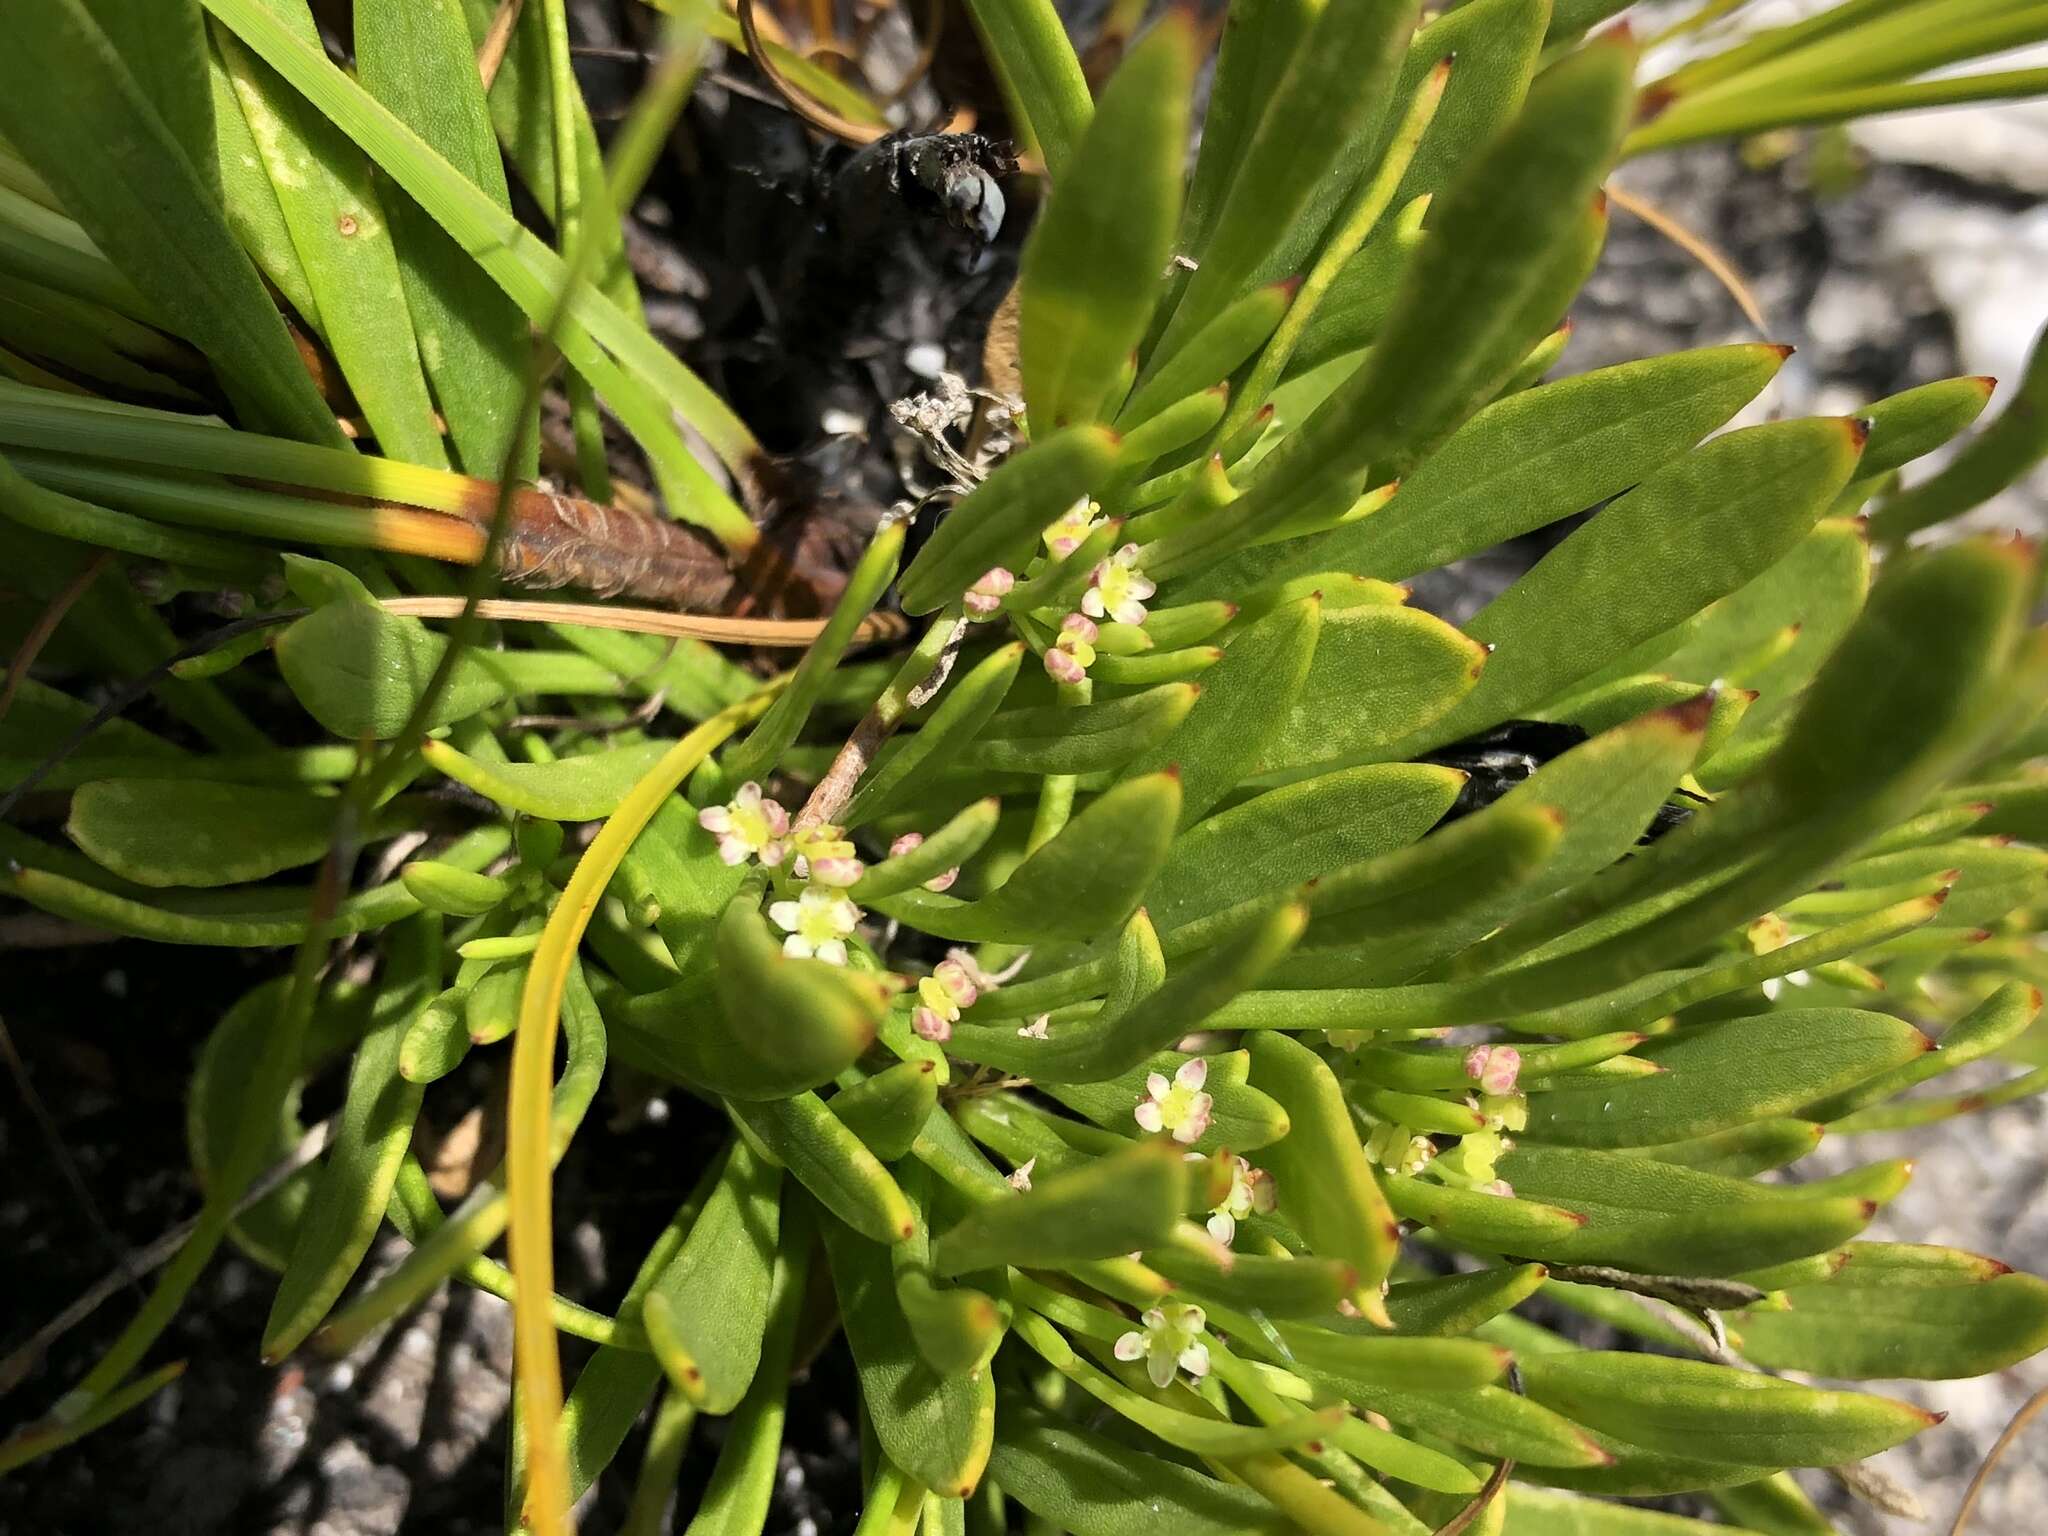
pixel 529 1152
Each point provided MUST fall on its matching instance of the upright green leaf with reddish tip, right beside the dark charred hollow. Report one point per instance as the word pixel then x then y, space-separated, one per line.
pixel 1097 261
